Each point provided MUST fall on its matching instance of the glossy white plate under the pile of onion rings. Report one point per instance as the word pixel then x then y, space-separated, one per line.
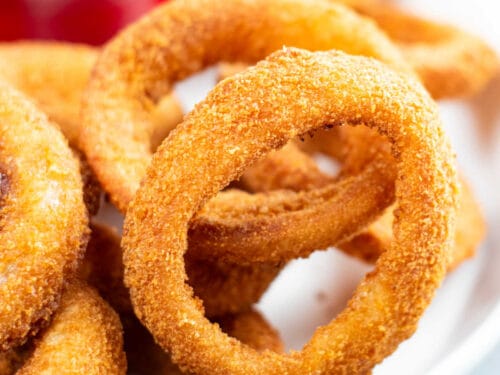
pixel 463 322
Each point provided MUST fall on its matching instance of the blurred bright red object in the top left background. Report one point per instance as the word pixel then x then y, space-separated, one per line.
pixel 86 21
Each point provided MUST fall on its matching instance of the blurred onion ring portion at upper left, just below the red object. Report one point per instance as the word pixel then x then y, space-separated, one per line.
pixel 53 74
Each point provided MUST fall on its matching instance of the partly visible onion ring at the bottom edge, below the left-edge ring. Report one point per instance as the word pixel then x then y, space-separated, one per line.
pixel 84 337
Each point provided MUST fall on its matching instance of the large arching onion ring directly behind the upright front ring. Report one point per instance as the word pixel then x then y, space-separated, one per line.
pixel 140 66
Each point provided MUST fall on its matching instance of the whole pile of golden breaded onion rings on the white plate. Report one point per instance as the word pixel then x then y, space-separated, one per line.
pixel 215 211
